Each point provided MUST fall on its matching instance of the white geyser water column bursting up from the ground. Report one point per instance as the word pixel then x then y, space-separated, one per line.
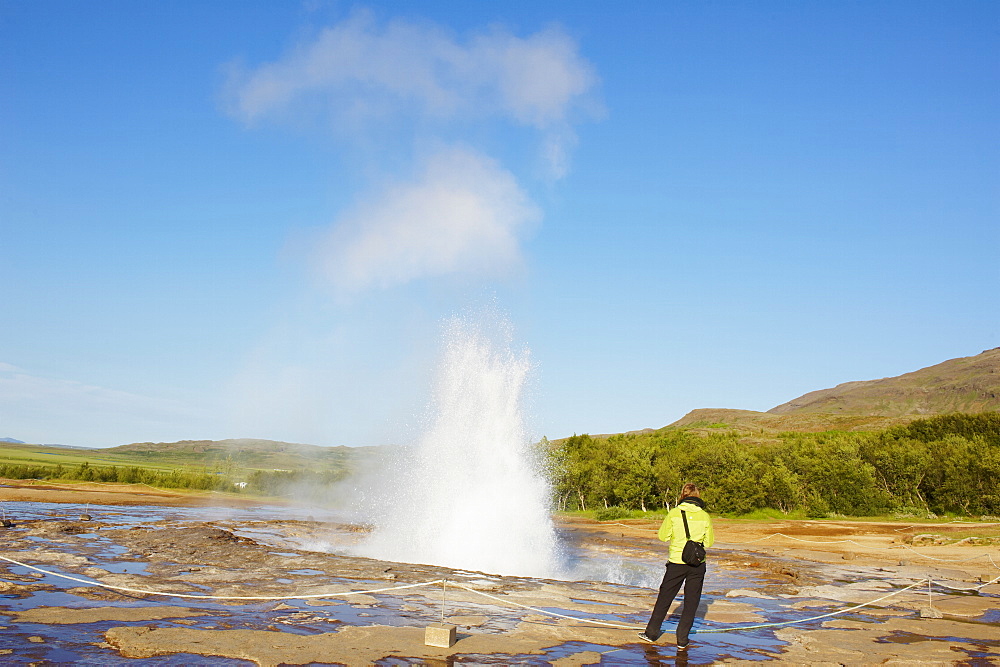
pixel 471 494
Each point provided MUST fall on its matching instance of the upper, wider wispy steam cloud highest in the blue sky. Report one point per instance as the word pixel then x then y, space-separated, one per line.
pixel 360 70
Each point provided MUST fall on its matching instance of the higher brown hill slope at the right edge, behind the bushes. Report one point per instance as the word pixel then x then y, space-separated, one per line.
pixel 966 384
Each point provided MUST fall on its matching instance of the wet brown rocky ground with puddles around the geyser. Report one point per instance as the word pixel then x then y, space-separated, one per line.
pixel 185 568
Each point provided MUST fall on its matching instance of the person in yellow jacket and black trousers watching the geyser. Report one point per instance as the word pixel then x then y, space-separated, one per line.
pixel 699 525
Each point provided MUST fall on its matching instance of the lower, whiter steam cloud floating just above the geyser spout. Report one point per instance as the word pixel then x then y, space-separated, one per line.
pixel 464 214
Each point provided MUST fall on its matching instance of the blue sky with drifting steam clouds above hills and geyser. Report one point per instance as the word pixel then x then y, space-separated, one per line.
pixel 251 219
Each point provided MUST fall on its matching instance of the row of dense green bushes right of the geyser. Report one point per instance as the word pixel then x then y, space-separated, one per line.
pixel 947 464
